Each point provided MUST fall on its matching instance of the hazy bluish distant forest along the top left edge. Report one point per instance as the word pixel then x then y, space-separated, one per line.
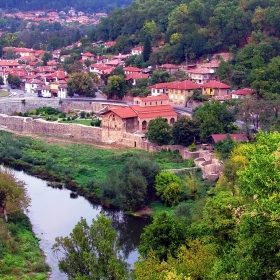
pixel 64 5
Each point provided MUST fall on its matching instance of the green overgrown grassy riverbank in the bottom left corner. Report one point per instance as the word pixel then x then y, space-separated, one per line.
pixel 20 255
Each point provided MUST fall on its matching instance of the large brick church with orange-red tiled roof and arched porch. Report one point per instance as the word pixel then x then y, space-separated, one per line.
pixel 135 118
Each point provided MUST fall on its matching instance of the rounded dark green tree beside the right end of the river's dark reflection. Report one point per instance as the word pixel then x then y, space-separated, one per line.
pixel 164 236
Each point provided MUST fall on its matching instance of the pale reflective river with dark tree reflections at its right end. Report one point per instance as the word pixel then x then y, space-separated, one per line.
pixel 53 213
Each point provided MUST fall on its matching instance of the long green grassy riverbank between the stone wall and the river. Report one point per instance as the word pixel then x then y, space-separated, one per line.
pixel 81 167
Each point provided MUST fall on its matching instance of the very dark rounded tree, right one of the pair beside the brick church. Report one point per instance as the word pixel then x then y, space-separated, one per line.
pixel 185 131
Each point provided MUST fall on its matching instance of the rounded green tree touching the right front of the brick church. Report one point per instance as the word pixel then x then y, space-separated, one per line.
pixel 159 131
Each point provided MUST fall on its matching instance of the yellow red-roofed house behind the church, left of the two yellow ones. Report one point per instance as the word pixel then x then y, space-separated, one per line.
pixel 179 92
